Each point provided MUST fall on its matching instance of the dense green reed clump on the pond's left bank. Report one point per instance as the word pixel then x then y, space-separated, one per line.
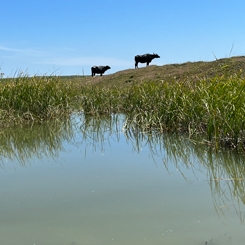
pixel 25 99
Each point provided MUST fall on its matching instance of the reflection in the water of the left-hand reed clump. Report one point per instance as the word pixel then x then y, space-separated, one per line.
pixel 34 141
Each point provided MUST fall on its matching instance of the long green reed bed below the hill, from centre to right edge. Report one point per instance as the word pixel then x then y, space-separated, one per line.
pixel 211 107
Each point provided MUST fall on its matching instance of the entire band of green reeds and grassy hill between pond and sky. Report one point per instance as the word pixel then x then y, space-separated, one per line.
pixel 202 98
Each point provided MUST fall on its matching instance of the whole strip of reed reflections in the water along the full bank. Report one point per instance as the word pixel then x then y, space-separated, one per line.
pixel 224 171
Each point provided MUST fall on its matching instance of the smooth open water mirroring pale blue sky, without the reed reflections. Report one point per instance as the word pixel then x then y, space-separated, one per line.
pixel 109 193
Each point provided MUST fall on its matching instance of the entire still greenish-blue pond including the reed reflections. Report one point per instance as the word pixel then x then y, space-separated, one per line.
pixel 91 182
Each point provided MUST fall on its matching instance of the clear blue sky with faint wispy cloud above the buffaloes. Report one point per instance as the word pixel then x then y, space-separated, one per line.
pixel 67 37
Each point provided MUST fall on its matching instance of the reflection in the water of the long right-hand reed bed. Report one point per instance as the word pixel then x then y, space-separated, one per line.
pixel 225 170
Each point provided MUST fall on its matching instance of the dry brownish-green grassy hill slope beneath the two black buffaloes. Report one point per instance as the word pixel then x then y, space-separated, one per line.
pixel 189 70
